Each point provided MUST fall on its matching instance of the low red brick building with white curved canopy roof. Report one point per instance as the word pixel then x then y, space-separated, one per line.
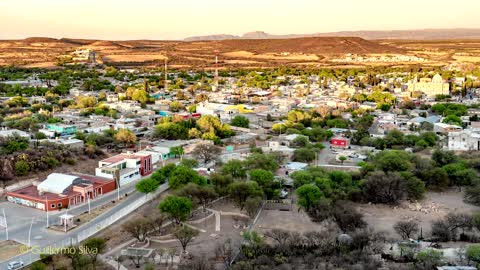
pixel 60 191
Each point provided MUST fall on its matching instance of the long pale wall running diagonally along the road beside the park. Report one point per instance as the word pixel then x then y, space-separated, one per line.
pixel 91 228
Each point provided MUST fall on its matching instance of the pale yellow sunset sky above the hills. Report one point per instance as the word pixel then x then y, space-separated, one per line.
pixel 177 19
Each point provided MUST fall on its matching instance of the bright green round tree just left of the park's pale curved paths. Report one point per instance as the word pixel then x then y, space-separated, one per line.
pixel 178 208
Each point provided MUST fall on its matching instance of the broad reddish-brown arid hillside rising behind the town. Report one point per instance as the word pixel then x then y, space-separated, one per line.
pixel 309 51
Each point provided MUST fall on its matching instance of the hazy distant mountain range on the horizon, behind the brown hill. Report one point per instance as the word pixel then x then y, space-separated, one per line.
pixel 420 34
